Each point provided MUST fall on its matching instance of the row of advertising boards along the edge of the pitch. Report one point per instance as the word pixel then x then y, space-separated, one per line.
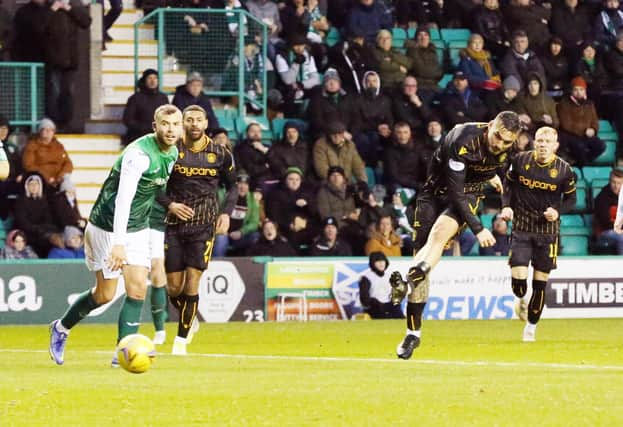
pixel 258 289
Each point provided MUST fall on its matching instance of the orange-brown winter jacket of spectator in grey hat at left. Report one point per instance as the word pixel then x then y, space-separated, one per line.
pixel 49 160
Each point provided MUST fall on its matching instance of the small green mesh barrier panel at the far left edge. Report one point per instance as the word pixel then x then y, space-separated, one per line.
pixel 21 85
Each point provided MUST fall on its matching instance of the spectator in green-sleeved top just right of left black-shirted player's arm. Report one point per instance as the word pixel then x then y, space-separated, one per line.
pixel 243 223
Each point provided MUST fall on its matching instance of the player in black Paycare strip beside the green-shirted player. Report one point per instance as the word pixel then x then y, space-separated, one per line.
pixel 194 216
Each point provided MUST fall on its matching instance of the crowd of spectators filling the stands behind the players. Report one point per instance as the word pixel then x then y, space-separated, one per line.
pixel 367 90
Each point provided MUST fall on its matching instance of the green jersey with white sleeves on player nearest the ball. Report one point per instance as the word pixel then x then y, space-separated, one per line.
pixel 152 181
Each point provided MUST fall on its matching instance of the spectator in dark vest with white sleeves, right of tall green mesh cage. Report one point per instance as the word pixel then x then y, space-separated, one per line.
pixel 297 74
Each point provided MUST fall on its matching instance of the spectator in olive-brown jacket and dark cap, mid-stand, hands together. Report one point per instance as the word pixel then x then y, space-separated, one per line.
pixel 337 149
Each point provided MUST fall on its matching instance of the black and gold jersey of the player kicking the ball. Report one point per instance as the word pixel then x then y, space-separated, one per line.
pixel 463 164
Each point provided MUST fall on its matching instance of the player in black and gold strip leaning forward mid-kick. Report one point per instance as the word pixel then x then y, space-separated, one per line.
pixel 466 161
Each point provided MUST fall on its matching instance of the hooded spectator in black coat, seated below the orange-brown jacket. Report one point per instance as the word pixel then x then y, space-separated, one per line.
pixel 33 216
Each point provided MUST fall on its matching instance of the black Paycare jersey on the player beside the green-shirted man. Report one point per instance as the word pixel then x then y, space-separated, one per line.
pixel 195 179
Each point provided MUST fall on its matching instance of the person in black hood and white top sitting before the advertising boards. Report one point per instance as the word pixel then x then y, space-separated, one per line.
pixel 375 290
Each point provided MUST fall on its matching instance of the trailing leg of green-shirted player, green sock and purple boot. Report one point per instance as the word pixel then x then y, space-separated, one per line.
pixel 97 244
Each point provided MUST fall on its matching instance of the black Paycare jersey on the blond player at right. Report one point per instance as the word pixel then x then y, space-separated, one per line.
pixel 534 187
